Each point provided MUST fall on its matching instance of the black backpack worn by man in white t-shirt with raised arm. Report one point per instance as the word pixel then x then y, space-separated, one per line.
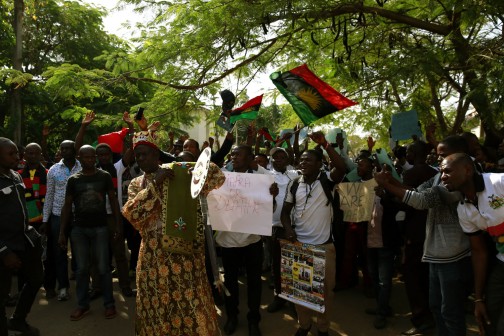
pixel 337 228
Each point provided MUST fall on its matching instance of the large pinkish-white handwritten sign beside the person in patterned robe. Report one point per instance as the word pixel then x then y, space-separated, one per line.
pixel 243 204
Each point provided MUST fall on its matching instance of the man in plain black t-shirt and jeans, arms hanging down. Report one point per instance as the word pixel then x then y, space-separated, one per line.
pixel 87 191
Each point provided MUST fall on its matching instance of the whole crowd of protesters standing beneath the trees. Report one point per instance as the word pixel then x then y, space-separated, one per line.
pixel 437 220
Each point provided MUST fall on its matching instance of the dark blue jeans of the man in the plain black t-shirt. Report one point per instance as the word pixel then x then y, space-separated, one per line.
pixel 91 243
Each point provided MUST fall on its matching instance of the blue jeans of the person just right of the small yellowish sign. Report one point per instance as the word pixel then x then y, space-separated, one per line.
pixel 381 269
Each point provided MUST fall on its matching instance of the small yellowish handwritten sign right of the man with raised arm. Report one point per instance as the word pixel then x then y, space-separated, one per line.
pixel 356 200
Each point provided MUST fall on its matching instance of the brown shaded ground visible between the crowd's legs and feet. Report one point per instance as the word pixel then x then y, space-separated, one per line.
pixel 52 317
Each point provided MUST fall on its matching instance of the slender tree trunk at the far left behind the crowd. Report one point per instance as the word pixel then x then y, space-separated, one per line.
pixel 17 63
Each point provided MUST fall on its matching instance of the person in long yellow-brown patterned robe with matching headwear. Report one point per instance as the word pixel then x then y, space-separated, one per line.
pixel 174 296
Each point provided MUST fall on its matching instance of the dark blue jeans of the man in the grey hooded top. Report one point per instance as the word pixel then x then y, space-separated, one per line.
pixel 448 291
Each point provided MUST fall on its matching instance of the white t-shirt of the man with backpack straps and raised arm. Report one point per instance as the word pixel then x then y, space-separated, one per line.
pixel 312 214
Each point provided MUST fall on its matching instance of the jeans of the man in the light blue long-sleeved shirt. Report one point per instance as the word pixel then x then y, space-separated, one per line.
pixel 56 264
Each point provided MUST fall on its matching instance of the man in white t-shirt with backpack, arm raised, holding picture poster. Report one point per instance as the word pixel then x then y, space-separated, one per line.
pixel 313 213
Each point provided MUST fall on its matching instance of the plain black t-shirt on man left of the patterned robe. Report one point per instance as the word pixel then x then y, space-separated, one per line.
pixel 89 194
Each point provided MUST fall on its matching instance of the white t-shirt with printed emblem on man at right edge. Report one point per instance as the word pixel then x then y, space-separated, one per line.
pixel 489 216
